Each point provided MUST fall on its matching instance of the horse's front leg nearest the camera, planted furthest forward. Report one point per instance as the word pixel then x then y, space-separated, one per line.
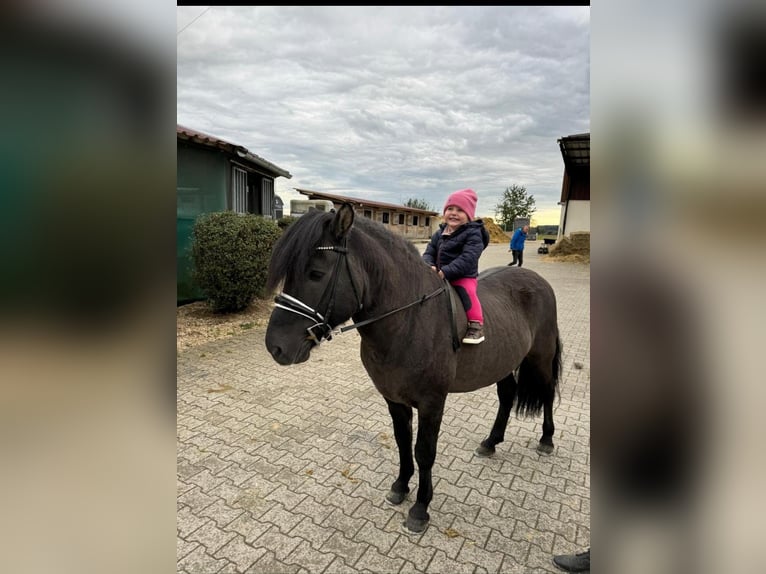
pixel 429 422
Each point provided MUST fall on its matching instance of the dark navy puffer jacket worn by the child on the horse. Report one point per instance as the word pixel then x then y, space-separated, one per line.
pixel 457 255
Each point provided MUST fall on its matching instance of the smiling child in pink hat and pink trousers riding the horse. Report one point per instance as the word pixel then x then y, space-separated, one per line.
pixel 454 253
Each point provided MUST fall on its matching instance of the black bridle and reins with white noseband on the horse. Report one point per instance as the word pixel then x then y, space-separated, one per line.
pixel 321 329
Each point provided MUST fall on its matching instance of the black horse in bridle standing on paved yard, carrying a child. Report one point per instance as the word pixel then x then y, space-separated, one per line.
pixel 334 268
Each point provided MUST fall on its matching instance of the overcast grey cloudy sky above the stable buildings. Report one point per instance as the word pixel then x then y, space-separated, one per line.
pixel 391 103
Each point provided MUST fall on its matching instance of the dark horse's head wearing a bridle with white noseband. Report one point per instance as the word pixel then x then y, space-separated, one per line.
pixel 319 291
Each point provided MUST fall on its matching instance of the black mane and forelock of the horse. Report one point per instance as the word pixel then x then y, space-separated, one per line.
pixel 299 240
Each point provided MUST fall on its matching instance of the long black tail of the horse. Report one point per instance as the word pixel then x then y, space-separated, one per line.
pixel 538 383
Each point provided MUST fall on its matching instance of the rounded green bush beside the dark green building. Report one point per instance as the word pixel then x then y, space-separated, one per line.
pixel 231 254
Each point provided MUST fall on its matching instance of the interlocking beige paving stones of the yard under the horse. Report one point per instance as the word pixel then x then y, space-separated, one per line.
pixel 285 469
